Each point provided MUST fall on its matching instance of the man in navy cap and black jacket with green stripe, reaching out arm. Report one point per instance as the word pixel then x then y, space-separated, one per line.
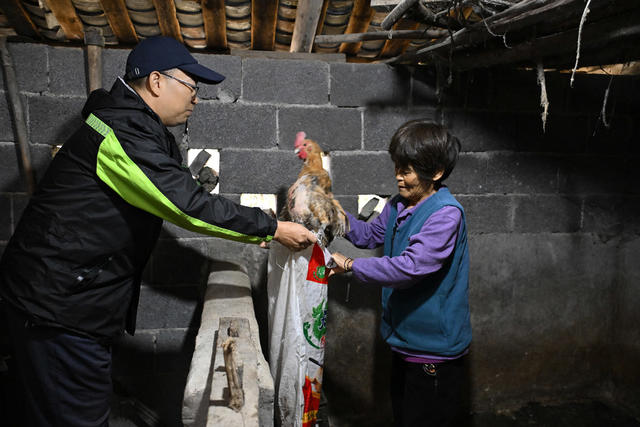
pixel 70 275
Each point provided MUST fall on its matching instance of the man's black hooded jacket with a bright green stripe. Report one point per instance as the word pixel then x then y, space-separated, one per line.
pixel 78 252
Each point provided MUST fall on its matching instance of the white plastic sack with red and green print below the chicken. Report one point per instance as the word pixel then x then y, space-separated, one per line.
pixel 297 291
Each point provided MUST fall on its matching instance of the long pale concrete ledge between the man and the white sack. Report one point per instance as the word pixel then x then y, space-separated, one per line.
pixel 228 294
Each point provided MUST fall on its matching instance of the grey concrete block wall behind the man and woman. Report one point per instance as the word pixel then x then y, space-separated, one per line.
pixel 553 216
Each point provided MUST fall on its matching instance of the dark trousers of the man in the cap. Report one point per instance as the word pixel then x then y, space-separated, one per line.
pixel 65 377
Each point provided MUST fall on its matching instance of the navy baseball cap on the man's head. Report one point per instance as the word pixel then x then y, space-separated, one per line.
pixel 163 53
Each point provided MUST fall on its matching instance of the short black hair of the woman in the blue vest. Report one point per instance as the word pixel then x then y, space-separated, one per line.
pixel 425 146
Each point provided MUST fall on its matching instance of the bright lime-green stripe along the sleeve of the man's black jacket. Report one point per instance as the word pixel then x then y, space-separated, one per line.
pixel 125 177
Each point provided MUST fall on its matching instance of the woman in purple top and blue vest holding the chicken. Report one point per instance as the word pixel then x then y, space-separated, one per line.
pixel 424 277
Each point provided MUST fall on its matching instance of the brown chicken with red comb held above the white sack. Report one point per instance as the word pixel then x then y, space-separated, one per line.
pixel 310 201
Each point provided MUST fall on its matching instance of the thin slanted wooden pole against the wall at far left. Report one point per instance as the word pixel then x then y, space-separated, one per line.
pixel 18 114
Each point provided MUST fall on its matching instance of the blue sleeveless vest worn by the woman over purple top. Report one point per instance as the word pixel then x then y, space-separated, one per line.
pixel 432 315
